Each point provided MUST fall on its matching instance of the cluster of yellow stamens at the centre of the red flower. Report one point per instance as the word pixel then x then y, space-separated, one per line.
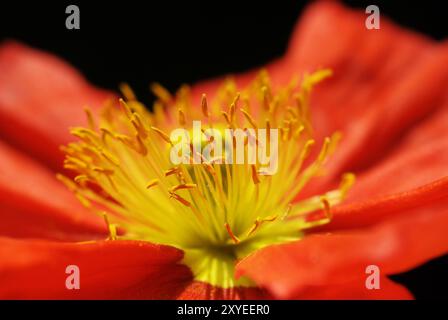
pixel 217 212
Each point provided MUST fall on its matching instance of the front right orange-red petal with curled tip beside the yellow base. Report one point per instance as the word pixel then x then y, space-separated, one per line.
pixel 323 260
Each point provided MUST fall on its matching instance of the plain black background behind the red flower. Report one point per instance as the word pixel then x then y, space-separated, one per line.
pixel 175 42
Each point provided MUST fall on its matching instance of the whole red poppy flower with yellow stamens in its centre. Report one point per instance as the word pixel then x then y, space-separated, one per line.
pixel 214 231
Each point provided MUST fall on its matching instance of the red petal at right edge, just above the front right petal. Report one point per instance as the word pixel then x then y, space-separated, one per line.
pixel 407 179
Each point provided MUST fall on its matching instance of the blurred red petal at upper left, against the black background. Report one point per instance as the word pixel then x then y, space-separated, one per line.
pixel 40 98
